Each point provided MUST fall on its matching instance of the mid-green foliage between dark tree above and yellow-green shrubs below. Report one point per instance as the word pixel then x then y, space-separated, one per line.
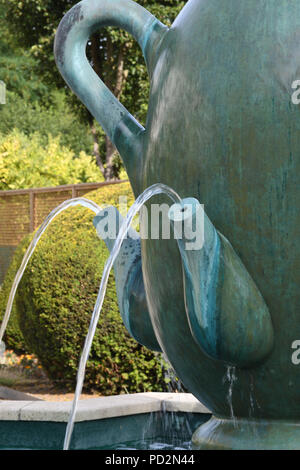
pixel 32 106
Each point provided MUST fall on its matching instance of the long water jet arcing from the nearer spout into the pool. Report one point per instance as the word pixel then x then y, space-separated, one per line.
pixel 135 208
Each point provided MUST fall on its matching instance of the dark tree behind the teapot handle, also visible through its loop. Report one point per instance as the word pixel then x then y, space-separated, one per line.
pixel 113 53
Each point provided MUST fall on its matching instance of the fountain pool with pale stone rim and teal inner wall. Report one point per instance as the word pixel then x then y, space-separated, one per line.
pixel 133 421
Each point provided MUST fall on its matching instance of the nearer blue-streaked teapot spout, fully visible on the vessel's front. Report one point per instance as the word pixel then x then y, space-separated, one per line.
pixel 227 314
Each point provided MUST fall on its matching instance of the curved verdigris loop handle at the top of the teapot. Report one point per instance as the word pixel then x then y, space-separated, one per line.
pixel 71 38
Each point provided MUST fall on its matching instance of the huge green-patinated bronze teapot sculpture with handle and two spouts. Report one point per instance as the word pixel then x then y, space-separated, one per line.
pixel 221 129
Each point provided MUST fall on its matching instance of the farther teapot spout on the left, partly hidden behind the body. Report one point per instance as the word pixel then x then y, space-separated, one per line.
pixel 129 277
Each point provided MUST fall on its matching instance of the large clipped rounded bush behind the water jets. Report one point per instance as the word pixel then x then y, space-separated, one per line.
pixel 55 301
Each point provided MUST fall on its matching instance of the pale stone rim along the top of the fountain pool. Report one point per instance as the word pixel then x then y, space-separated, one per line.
pixel 100 408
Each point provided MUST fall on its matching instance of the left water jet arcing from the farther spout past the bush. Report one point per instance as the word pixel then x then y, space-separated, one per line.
pixel 30 250
